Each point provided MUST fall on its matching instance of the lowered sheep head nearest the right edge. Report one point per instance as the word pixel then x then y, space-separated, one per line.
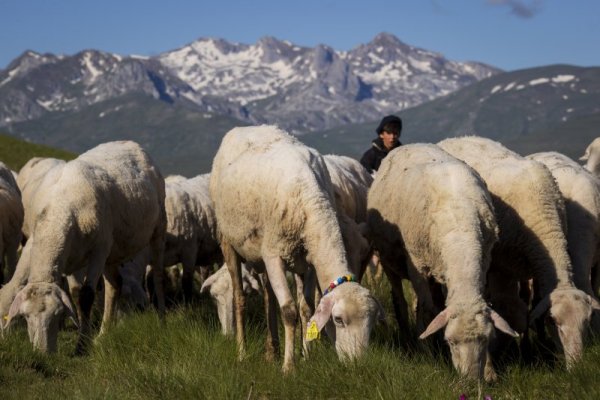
pixel 570 314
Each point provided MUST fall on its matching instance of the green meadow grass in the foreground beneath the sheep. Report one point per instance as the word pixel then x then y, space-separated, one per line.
pixel 139 358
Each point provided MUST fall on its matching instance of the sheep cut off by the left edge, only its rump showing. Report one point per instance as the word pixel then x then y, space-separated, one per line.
pixel 11 220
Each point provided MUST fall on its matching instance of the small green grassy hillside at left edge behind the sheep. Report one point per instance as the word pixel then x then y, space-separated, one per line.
pixel 15 153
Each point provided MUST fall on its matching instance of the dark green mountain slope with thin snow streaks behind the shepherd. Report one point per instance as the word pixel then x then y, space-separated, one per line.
pixel 546 108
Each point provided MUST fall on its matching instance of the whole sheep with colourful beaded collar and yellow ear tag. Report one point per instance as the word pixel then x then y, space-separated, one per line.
pixel 274 202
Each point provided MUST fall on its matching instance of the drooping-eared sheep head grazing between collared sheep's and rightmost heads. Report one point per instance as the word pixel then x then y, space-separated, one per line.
pixel 469 330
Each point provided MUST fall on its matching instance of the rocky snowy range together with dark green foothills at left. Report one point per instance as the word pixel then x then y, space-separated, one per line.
pixel 192 95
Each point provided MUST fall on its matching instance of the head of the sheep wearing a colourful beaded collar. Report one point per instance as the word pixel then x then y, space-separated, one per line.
pixel 353 311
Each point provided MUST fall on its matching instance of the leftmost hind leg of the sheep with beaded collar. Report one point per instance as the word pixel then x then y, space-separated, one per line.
pixel 239 302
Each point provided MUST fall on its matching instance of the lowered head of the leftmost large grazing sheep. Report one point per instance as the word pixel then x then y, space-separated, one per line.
pixel 43 306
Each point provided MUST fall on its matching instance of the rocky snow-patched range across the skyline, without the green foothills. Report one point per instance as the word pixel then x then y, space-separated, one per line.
pixel 300 88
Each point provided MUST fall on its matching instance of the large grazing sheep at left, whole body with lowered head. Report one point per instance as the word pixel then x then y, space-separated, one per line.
pixel 107 205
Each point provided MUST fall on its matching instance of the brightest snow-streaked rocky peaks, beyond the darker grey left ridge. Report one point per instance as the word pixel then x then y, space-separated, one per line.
pixel 303 89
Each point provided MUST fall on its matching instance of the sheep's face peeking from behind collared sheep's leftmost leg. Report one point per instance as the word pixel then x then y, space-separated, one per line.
pixel 219 287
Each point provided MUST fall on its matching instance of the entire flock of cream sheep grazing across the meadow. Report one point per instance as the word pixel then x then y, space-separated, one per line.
pixel 492 242
